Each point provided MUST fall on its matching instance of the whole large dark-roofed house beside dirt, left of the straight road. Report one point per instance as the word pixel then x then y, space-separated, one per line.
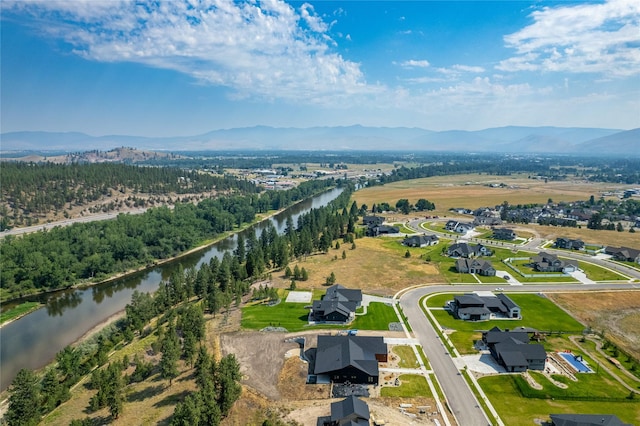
pixel 351 359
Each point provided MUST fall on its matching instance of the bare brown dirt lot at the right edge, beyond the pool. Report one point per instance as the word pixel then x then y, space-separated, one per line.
pixel 617 312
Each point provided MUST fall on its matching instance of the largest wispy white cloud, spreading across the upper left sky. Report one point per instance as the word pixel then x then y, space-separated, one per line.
pixel 267 50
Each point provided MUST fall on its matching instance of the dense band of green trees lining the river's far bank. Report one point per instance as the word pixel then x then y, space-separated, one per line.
pixel 65 256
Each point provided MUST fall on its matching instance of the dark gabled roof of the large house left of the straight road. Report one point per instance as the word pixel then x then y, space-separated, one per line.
pixel 337 352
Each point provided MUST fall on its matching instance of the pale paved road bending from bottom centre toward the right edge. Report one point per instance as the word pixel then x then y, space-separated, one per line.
pixel 459 397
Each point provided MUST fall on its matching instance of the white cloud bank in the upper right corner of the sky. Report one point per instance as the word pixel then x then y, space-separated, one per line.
pixel 595 38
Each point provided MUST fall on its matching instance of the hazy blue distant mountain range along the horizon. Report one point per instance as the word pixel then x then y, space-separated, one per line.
pixel 512 139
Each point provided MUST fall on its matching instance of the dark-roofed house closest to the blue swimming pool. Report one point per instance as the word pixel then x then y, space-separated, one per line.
pixel 512 350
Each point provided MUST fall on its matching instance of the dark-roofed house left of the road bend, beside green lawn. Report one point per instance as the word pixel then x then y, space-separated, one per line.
pixel 339 304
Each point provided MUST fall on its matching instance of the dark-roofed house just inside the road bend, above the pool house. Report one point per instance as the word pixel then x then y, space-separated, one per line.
pixel 473 307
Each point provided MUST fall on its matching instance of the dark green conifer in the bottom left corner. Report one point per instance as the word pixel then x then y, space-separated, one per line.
pixel 24 399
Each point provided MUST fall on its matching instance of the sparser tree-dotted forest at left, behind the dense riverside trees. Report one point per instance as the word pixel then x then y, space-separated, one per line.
pixel 36 189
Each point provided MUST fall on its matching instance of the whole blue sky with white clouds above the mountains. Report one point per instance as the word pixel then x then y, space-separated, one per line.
pixel 178 67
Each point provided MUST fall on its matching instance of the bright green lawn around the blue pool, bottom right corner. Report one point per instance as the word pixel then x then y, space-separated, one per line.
pixel 504 395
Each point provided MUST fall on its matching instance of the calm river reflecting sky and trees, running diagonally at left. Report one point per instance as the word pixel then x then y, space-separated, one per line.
pixel 34 340
